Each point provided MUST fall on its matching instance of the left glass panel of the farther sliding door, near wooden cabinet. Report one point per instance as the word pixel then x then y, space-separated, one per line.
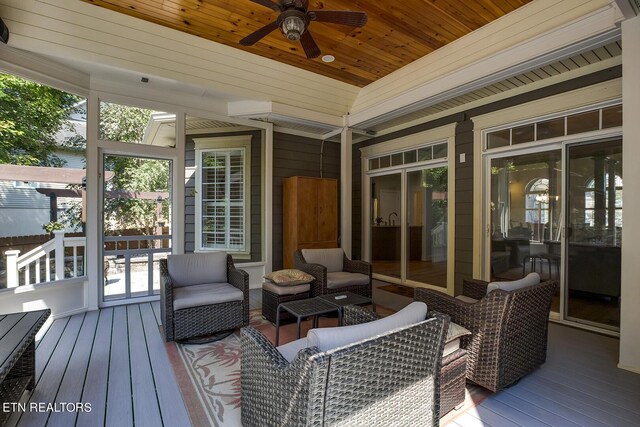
pixel 386 246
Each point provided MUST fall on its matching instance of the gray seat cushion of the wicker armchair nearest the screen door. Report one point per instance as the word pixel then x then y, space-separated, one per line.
pixel 205 294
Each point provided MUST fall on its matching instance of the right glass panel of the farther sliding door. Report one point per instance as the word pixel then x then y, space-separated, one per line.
pixel 427 226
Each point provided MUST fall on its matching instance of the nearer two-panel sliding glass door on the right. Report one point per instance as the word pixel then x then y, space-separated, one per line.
pixel 571 235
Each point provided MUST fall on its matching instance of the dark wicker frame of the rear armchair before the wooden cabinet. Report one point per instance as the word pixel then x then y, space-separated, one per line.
pixel 319 272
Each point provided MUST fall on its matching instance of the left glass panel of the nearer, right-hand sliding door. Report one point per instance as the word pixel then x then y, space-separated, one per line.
pixel 525 214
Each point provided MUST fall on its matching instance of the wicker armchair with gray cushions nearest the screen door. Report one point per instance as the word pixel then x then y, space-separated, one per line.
pixel 202 294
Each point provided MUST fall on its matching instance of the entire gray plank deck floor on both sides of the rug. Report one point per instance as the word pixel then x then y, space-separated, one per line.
pixel 115 359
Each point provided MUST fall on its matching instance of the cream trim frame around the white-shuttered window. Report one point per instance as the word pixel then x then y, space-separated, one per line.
pixel 223 143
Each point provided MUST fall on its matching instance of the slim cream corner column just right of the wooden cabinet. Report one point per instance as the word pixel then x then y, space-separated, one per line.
pixel 346 220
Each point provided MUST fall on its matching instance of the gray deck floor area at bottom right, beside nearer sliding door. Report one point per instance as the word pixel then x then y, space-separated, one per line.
pixel 579 385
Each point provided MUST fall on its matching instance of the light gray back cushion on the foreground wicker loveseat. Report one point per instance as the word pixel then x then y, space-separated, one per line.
pixel 329 338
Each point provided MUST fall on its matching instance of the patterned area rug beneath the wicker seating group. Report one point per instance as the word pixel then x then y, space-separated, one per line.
pixel 209 374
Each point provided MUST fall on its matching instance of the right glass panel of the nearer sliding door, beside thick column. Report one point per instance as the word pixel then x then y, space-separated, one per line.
pixel 594 227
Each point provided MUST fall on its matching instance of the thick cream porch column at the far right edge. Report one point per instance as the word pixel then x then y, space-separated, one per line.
pixel 630 292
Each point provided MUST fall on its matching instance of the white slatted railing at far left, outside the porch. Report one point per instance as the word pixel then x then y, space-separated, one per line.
pixel 39 257
